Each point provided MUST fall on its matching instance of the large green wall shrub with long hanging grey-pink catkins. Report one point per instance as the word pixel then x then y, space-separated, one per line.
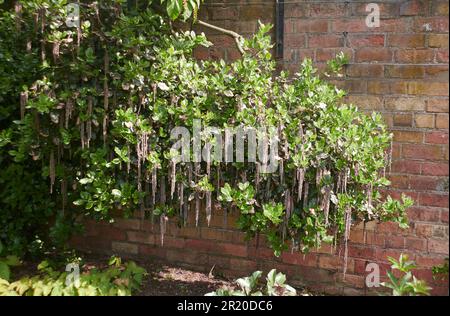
pixel 87 114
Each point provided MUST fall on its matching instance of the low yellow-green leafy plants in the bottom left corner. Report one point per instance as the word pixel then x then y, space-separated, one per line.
pixel 116 279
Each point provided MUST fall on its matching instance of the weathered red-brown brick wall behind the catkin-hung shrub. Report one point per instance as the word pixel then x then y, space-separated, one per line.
pixel 399 69
